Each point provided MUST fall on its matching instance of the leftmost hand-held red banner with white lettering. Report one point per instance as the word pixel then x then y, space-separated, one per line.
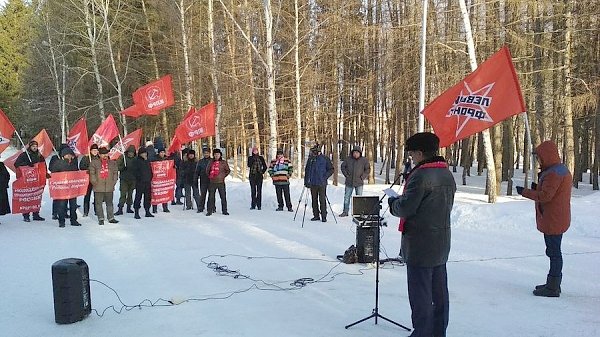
pixel 28 188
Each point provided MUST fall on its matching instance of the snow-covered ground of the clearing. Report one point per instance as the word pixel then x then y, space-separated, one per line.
pixel 497 258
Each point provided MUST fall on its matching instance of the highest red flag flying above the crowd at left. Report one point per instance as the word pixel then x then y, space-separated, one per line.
pixel 155 96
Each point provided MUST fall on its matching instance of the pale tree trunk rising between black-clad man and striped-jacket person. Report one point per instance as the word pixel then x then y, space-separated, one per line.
pixel 270 69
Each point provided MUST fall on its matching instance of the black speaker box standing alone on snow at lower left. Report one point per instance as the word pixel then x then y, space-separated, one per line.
pixel 71 285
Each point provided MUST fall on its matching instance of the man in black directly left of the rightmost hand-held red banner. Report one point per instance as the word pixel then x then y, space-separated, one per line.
pixel 143 176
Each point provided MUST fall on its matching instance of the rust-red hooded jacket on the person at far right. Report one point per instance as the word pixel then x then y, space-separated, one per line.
pixel 553 193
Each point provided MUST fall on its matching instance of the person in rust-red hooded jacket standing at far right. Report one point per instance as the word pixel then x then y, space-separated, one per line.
pixel 552 196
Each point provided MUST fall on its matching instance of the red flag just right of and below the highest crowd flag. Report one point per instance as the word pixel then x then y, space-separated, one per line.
pixel 198 125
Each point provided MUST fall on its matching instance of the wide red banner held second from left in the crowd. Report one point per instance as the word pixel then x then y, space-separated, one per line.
pixel 67 185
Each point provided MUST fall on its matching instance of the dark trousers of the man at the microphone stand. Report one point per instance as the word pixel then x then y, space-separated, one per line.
pixel 428 297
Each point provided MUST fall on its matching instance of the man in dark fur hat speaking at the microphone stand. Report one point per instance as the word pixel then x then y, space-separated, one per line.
pixel 424 209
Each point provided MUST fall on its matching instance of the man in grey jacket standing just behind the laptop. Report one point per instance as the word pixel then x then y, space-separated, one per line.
pixel 355 169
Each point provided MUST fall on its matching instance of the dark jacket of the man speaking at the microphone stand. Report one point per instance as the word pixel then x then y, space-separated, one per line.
pixel 425 207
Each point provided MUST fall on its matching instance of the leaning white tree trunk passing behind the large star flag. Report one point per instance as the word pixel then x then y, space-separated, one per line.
pixel 487 142
